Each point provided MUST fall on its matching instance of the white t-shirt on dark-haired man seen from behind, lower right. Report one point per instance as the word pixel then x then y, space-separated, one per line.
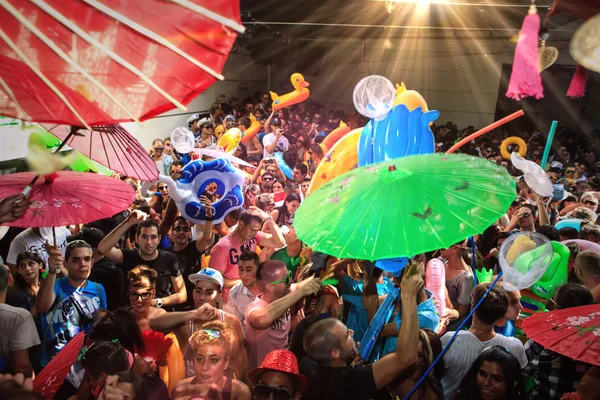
pixel 463 352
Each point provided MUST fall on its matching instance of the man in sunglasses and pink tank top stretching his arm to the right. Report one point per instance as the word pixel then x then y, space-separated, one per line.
pixel 268 320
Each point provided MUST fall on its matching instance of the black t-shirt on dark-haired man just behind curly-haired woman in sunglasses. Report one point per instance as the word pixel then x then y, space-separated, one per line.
pixel 165 264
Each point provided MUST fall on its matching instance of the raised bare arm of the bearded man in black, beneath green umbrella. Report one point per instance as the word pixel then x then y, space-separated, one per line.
pixel 392 365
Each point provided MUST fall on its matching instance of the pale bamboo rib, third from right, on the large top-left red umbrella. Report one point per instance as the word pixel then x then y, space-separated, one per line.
pixel 118 59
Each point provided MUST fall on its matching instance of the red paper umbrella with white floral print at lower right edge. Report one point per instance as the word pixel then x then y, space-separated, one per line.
pixel 572 332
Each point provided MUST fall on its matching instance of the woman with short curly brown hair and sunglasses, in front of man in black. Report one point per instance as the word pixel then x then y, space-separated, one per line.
pixel 141 292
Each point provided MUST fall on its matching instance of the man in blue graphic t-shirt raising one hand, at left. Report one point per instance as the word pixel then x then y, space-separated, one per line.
pixel 68 305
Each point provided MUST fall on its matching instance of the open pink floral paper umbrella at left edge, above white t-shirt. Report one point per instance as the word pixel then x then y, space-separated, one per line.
pixel 66 197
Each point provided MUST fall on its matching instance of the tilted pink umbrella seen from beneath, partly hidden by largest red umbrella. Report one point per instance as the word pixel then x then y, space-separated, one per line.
pixel 111 146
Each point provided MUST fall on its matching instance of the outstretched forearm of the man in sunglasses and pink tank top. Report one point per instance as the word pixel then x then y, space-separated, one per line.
pixel 263 318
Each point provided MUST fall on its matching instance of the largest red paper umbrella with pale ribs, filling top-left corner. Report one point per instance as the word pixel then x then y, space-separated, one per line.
pixel 123 60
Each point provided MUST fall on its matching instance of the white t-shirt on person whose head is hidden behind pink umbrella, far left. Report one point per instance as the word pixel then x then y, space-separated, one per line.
pixel 28 240
